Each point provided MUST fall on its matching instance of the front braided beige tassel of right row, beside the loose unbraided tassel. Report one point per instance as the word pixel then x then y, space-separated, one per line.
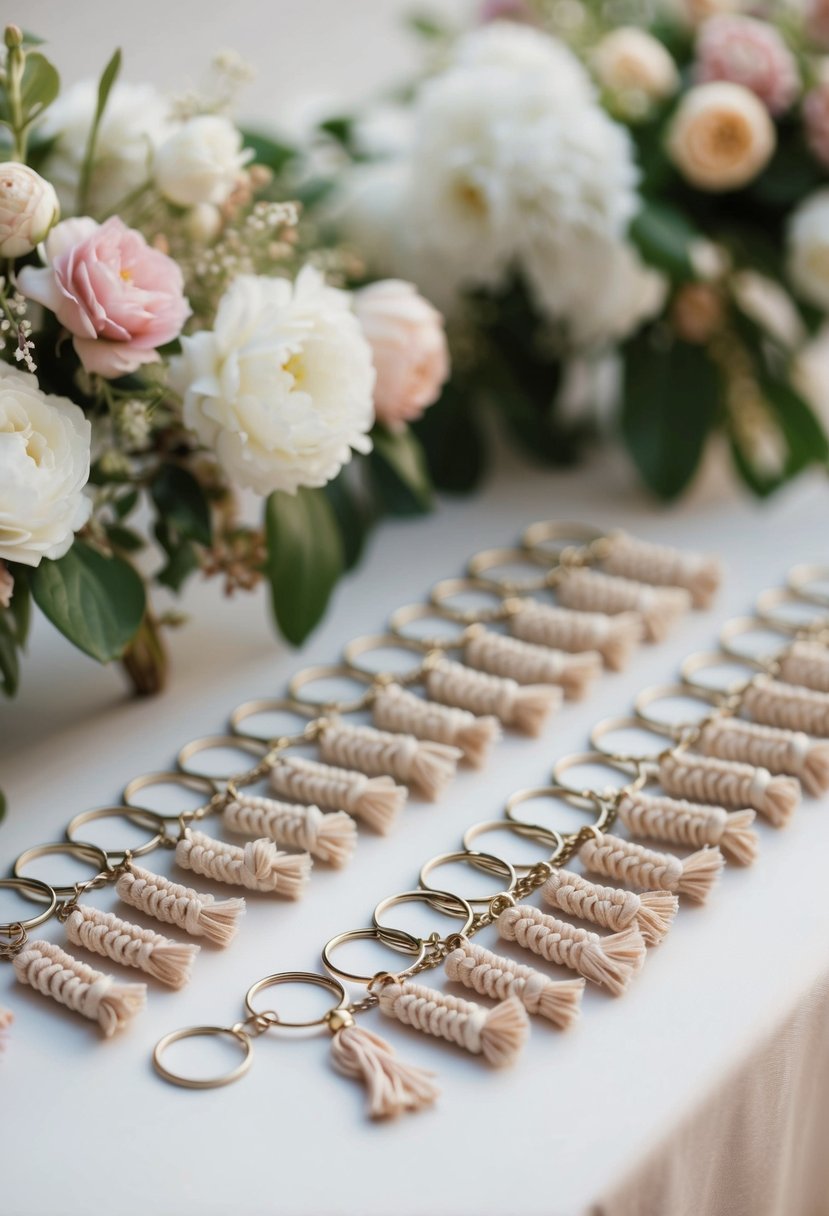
pixel 499 1035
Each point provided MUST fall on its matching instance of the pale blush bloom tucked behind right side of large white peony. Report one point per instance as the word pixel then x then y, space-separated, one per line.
pixel 409 348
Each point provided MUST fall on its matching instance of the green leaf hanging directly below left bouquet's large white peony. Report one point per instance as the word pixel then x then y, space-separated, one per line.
pixel 304 560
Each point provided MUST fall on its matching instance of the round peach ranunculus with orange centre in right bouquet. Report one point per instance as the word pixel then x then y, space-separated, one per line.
pixel 721 137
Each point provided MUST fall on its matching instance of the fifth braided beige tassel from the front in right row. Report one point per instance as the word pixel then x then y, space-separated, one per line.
pixel 614 858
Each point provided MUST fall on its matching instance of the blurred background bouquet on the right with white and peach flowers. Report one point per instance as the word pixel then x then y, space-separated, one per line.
pixel 623 210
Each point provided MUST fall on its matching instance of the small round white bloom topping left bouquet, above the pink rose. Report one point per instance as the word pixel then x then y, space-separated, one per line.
pixel 202 162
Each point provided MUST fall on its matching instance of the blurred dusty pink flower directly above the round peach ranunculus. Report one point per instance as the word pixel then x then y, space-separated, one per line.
pixel 752 53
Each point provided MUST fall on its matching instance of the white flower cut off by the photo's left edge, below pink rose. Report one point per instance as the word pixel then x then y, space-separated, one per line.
pixel 44 468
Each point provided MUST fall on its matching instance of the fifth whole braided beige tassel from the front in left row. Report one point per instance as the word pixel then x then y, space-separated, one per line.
pixel 332 838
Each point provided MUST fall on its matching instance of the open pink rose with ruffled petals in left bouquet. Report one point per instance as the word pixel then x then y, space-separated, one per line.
pixel 119 297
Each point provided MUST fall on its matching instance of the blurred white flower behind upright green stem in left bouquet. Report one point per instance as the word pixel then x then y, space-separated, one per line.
pixel 134 123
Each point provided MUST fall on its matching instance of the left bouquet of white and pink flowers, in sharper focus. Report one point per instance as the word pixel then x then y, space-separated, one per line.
pixel 177 345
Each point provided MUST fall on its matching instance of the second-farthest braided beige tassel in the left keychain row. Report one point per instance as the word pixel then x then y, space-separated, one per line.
pixel 591 592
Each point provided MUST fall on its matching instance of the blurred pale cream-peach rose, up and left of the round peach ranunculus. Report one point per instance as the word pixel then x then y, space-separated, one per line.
pixel 635 69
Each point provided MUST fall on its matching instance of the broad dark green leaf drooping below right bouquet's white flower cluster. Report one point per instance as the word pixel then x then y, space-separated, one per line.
pixel 670 404
